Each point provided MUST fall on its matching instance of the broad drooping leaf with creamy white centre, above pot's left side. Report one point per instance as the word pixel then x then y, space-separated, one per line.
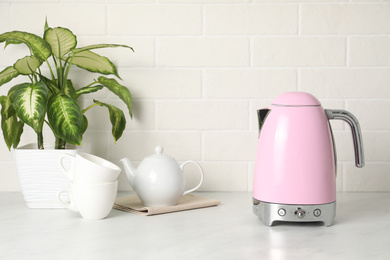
pixel 29 101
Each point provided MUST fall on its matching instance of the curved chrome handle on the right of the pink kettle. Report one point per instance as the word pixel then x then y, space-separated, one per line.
pixel 356 133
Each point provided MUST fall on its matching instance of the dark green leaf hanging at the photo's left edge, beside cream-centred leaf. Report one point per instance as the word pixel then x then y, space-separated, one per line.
pixel 11 127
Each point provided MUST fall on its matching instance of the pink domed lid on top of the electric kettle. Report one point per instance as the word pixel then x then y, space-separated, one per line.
pixel 296 99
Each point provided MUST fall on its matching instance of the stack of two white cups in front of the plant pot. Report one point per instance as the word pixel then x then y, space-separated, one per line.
pixel 93 186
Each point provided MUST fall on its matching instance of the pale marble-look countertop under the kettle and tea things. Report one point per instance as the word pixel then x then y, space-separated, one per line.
pixel 361 230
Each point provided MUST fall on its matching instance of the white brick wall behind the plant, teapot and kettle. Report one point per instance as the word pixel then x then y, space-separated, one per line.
pixel 201 68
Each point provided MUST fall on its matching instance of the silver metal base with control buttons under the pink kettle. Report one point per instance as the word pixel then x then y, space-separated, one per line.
pixel 271 212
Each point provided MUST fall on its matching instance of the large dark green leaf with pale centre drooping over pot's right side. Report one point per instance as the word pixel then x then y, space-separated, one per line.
pixel 65 118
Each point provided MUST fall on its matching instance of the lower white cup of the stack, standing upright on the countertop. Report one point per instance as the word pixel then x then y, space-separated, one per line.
pixel 92 201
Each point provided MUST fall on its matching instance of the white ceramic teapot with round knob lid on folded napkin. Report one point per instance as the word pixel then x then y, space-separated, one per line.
pixel 159 180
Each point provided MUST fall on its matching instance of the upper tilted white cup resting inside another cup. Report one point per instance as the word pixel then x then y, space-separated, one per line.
pixel 88 168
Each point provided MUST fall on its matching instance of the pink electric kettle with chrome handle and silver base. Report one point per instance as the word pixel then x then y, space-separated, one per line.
pixel 295 168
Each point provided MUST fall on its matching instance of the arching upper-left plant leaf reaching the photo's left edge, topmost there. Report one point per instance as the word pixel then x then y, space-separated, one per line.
pixel 38 47
